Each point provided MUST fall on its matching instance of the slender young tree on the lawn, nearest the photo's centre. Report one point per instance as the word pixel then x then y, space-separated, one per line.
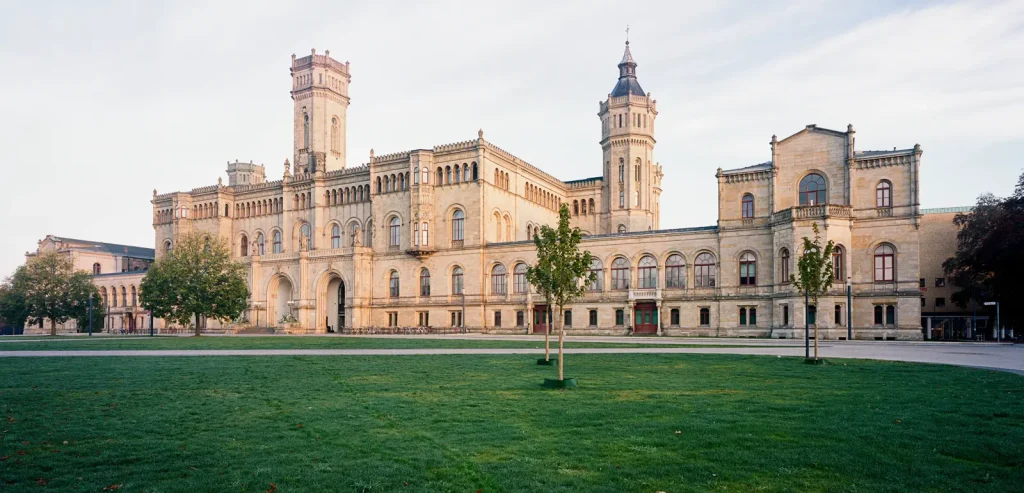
pixel 562 273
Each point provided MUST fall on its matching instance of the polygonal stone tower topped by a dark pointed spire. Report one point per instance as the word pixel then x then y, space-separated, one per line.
pixel 632 181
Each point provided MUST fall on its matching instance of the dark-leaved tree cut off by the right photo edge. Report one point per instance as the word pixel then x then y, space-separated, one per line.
pixel 988 264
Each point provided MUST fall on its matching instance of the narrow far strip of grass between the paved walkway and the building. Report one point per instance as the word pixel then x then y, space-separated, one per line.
pixel 294 343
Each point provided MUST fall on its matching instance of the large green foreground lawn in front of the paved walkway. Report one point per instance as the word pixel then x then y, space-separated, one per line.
pixel 465 424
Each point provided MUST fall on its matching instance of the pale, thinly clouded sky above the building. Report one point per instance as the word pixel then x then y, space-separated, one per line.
pixel 101 103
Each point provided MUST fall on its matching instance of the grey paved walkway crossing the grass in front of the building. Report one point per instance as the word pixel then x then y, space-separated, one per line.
pixel 978 355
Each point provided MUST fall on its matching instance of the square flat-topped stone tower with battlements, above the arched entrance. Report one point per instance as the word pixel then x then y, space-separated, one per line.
pixel 320 90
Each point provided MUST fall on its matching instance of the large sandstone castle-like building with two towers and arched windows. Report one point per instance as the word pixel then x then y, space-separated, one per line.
pixel 442 237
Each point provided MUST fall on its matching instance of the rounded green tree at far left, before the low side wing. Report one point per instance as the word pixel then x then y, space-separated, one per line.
pixel 51 290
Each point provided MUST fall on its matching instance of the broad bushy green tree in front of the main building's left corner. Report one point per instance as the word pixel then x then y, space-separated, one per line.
pixel 196 279
